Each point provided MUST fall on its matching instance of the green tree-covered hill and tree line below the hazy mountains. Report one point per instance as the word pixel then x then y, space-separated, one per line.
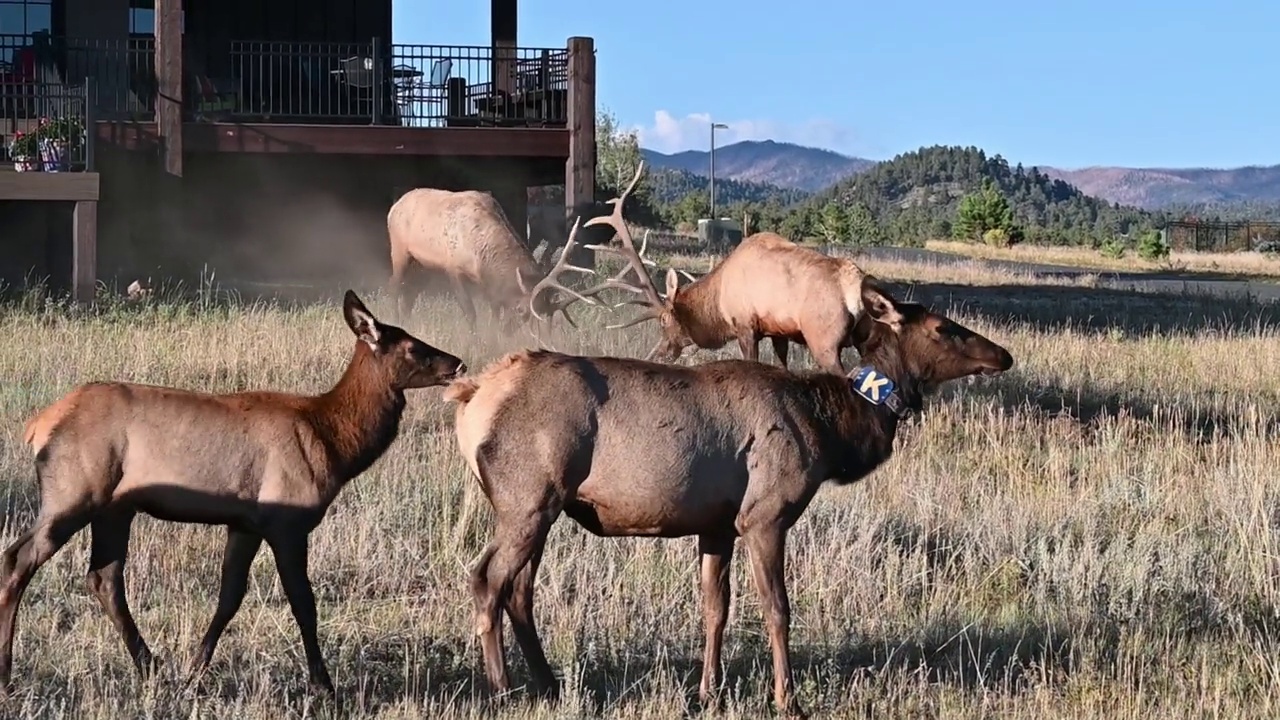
pixel 932 193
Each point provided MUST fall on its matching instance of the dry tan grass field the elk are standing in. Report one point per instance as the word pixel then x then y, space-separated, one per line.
pixel 1094 535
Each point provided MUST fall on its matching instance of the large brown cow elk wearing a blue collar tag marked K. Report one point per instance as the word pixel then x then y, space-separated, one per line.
pixel 720 450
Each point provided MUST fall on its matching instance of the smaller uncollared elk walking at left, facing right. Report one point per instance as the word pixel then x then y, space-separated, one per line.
pixel 264 464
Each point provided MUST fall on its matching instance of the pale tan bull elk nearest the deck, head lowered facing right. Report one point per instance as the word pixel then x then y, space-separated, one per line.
pixel 467 238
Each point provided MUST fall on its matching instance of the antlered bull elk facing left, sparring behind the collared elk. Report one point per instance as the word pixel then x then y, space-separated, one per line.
pixel 766 288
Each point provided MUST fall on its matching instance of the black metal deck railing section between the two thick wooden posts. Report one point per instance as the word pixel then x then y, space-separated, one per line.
pixel 378 84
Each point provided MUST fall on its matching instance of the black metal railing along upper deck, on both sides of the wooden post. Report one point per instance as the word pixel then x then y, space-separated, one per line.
pixel 371 83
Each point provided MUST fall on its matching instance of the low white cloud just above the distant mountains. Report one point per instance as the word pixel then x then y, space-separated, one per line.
pixel 693 133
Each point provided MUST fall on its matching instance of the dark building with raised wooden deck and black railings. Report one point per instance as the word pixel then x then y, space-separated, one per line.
pixel 264 139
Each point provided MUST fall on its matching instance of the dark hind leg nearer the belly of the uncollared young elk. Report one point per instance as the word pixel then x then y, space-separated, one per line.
pixel 109 549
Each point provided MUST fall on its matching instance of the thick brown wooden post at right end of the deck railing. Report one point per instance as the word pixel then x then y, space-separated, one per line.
pixel 580 168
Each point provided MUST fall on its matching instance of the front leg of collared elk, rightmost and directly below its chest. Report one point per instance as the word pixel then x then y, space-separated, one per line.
pixel 766 549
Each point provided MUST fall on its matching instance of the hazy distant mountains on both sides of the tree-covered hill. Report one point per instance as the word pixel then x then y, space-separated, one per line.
pixel 812 170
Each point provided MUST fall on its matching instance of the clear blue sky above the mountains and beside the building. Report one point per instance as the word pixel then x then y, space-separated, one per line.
pixel 1121 83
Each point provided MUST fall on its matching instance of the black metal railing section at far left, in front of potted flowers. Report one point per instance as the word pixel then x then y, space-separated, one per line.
pixel 48 127
